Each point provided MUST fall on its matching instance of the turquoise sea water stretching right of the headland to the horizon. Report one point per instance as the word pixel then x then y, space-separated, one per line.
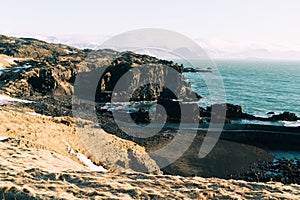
pixel 258 86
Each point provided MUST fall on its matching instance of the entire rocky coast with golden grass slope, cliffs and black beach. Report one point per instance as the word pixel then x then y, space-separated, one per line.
pixel 44 153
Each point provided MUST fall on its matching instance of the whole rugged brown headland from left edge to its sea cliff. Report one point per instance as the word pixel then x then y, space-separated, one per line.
pixel 39 68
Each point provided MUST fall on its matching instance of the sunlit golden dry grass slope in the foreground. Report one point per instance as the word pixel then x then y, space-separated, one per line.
pixel 35 163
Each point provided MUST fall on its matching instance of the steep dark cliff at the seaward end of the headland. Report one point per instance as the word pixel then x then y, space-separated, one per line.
pixel 145 80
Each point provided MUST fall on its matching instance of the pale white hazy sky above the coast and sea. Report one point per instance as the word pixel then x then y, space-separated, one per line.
pixel 229 27
